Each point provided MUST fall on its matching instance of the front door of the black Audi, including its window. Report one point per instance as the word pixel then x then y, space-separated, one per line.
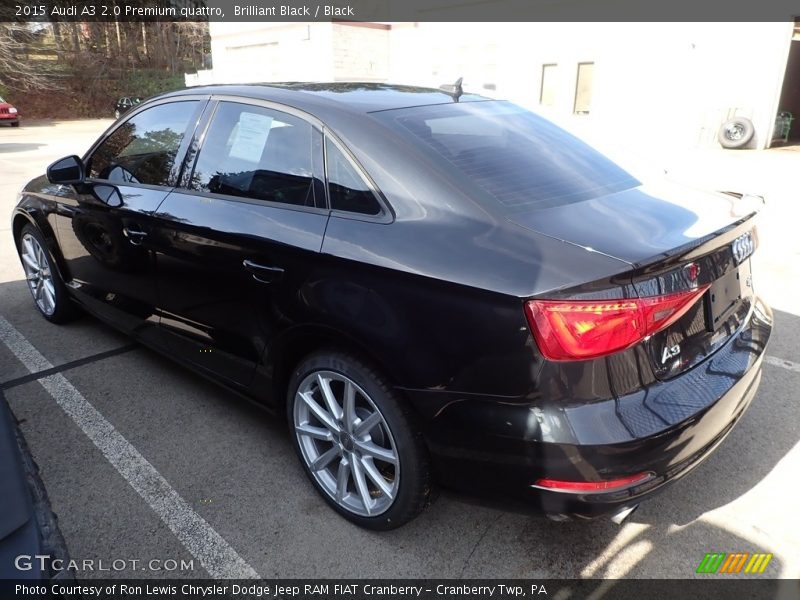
pixel 104 224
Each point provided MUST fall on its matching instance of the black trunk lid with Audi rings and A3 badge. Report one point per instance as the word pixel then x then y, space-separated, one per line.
pixel 675 239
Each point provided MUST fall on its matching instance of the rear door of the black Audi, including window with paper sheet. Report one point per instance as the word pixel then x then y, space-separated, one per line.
pixel 238 240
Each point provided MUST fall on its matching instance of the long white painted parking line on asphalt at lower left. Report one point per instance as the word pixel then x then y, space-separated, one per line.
pixel 206 545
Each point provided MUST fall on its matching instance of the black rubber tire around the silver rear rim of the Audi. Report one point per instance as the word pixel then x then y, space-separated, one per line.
pixel 415 485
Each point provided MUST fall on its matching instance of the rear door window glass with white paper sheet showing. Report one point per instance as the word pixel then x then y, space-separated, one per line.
pixel 258 153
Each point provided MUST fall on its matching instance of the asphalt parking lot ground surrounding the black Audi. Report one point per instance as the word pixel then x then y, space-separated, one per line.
pixel 145 461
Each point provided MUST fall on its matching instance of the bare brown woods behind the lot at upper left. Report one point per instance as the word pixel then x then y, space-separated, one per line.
pixel 92 63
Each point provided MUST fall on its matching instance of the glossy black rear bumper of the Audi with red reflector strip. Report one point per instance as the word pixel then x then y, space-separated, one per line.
pixel 499 448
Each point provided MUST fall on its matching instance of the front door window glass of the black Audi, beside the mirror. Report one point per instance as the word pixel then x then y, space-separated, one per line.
pixel 144 148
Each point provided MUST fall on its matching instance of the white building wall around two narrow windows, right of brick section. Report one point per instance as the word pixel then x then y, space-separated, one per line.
pixel 670 83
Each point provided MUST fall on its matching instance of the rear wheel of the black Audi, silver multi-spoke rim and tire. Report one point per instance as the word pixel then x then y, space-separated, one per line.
pixel 357 441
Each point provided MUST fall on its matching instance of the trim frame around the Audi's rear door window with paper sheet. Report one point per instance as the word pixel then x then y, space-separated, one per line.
pixel 199 139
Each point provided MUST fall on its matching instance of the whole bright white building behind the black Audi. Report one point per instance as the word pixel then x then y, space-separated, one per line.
pixel 670 84
